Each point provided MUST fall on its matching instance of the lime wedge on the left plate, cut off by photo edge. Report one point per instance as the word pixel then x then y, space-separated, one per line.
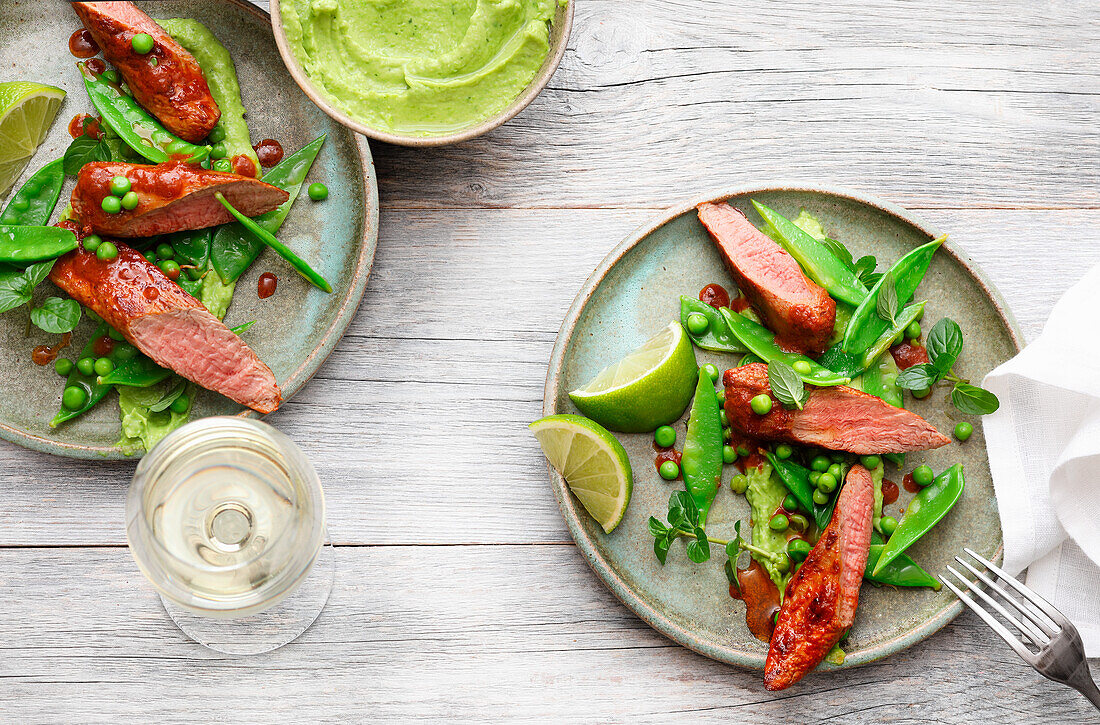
pixel 27 111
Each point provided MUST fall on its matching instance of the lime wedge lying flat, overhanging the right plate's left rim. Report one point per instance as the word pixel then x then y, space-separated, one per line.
pixel 593 464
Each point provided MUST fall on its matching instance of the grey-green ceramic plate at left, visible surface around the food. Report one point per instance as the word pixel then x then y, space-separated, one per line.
pixel 299 327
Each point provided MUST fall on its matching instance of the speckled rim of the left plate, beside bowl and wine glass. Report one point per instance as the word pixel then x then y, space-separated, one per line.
pixel 313 362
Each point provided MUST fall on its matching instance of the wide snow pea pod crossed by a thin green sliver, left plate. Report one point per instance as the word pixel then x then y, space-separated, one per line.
pixel 235 249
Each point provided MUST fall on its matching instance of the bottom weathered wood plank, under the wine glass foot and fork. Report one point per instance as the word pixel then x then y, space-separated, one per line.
pixel 455 634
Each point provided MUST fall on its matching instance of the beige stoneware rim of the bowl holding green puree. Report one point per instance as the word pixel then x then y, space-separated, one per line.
pixel 559 39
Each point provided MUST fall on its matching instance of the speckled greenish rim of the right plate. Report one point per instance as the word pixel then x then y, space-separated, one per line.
pixel 574 513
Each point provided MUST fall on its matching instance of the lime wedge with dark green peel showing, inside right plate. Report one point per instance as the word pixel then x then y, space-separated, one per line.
pixel 650 388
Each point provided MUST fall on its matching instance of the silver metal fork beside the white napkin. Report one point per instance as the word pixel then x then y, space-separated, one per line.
pixel 1060 656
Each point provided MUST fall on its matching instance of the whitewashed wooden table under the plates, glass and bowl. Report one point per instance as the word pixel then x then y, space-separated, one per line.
pixel 459 596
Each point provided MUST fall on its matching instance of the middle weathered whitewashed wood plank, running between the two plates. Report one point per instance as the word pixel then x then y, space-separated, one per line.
pixel 445 366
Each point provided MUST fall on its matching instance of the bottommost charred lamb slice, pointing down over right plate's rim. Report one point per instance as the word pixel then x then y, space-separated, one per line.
pixel 821 599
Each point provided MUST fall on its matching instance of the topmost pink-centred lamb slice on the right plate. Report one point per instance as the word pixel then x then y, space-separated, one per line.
pixel 798 310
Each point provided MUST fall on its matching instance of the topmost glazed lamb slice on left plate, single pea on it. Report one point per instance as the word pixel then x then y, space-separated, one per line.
pixel 168 81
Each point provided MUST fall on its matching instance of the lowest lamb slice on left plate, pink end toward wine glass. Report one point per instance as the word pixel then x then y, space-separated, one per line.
pixel 167 324
